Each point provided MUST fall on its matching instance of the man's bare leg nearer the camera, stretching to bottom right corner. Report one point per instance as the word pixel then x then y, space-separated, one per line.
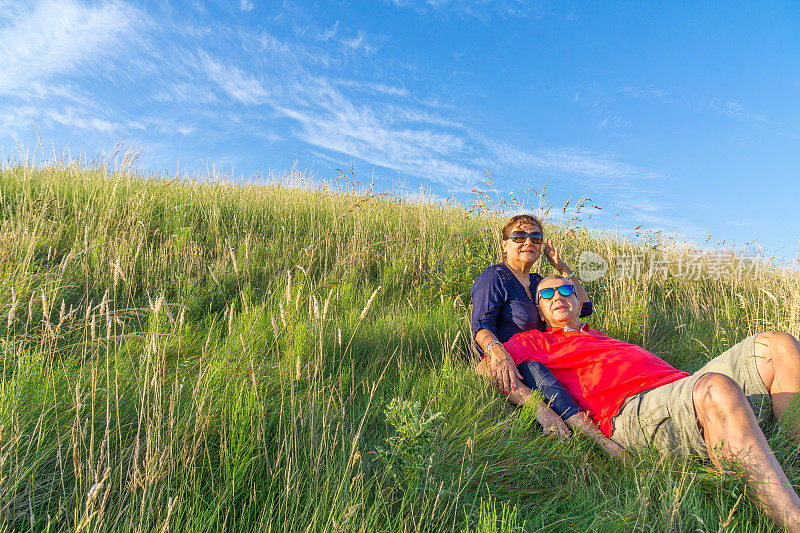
pixel 731 433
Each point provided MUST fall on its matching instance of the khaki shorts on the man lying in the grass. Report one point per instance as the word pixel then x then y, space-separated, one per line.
pixel 664 417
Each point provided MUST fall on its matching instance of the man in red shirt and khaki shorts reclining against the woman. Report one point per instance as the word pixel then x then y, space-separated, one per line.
pixel 638 399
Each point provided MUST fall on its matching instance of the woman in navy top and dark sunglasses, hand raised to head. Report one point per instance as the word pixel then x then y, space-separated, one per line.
pixel 503 304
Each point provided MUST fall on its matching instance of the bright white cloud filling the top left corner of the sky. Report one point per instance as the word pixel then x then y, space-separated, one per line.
pixel 54 37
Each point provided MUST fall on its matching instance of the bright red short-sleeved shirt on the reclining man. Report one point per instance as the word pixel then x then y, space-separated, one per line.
pixel 599 372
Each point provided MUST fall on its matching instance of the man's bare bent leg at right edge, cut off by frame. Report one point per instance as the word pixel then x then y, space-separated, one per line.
pixel 778 362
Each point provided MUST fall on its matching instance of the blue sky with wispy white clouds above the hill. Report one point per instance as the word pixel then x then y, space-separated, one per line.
pixel 683 117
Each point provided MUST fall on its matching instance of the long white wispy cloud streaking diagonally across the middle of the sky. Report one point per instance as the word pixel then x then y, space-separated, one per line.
pixel 386 126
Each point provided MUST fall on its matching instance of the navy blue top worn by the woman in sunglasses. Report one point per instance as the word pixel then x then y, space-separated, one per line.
pixel 501 304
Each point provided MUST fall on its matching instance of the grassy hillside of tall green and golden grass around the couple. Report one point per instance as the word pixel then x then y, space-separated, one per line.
pixel 195 356
